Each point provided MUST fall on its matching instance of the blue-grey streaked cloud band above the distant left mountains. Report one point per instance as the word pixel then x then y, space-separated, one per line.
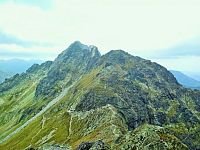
pixel 12 47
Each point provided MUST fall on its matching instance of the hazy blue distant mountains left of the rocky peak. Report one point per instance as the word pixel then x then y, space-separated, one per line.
pixel 17 65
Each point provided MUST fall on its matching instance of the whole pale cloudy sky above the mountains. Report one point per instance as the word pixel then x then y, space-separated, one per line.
pixel 167 32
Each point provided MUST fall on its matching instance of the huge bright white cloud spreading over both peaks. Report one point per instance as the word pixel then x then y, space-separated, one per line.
pixel 142 27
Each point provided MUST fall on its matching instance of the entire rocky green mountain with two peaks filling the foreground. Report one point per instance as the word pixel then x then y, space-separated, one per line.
pixel 85 101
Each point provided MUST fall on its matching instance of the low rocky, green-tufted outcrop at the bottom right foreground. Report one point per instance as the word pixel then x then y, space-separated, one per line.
pixel 151 138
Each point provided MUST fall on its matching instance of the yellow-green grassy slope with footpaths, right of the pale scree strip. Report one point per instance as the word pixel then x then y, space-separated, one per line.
pixel 53 126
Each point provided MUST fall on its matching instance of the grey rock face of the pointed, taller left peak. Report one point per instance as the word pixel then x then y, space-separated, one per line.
pixel 75 61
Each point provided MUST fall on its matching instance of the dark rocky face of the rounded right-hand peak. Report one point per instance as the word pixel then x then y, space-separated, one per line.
pixel 137 88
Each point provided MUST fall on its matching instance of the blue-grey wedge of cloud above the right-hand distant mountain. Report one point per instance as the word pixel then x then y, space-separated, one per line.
pixel 184 56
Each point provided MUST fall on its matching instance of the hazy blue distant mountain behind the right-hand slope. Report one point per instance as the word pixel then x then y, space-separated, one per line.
pixel 185 80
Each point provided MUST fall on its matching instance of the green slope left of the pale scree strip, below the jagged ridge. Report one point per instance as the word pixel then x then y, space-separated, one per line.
pixel 17 104
